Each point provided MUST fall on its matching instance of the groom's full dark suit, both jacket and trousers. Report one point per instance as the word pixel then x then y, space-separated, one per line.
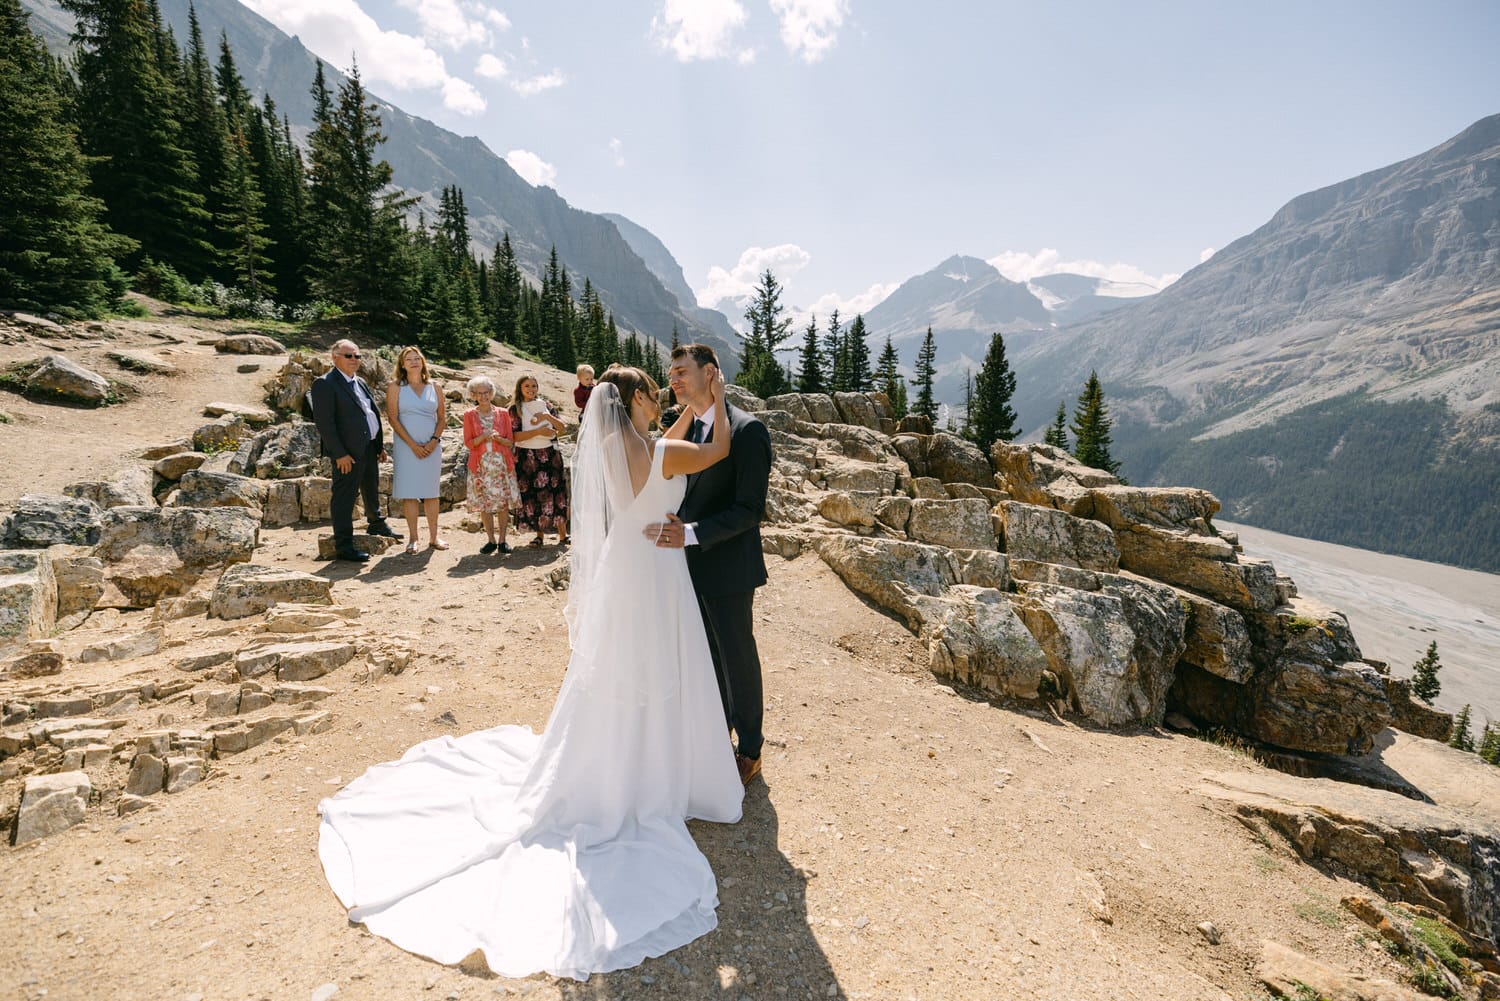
pixel 725 505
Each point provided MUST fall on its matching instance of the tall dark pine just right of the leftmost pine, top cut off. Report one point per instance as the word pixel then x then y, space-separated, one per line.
pixel 130 124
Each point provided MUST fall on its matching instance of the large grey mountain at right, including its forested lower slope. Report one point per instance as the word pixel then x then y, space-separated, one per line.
pixel 1334 374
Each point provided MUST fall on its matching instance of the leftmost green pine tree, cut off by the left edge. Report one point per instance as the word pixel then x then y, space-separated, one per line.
pixel 55 250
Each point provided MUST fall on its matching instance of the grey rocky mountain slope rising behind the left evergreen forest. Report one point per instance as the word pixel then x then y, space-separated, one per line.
pixel 428 158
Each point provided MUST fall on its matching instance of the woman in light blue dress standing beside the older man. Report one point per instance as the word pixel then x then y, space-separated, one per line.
pixel 418 415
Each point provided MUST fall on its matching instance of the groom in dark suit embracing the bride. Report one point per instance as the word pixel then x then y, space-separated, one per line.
pixel 719 523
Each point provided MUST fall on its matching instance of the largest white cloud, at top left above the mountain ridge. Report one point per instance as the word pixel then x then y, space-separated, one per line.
pixel 337 29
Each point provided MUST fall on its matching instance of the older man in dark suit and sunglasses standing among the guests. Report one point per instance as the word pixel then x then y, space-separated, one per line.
pixel 349 424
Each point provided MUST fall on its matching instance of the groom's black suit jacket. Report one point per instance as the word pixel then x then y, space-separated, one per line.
pixel 727 502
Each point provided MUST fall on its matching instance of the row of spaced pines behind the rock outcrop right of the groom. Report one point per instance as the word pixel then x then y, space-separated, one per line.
pixel 838 359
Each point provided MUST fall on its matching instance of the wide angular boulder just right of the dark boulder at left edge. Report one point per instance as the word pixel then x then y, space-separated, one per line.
pixel 202 538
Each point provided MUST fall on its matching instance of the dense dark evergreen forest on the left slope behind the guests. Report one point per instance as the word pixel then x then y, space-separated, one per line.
pixel 143 164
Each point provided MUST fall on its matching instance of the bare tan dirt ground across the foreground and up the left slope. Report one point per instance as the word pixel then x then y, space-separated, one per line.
pixel 908 841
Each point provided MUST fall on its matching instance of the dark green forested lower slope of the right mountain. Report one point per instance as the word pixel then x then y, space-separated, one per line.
pixel 1382 476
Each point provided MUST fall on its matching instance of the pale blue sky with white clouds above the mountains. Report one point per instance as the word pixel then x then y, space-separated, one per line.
pixel 851 145
